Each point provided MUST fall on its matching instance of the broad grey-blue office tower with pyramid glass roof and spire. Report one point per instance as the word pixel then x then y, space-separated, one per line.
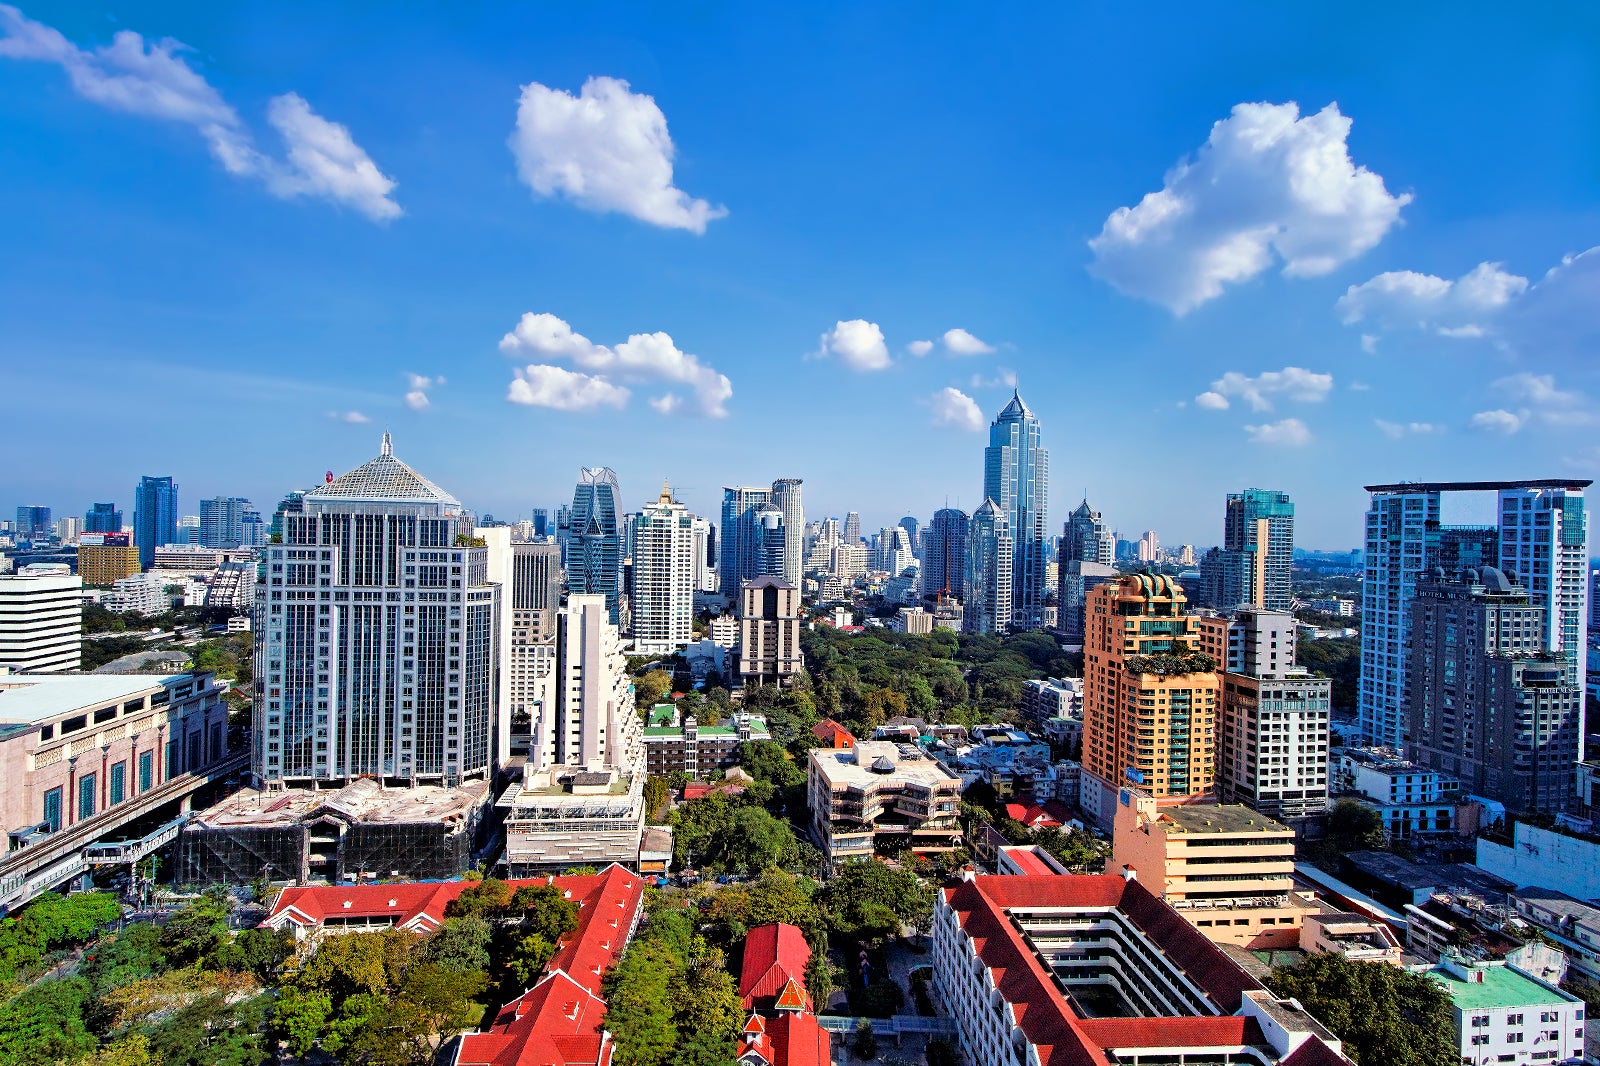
pixel 377 638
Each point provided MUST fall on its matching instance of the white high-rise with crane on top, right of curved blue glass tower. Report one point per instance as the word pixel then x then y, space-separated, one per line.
pixel 663 577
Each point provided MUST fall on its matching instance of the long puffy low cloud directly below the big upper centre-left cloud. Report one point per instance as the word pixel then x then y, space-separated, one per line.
pixel 642 359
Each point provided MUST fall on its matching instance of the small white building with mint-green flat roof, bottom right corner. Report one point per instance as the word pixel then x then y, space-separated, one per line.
pixel 1505 1016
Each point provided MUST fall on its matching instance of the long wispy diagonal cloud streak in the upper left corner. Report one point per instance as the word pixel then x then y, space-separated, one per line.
pixel 151 79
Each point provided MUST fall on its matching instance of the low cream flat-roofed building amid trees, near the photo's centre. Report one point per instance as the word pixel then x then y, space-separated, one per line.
pixel 881 795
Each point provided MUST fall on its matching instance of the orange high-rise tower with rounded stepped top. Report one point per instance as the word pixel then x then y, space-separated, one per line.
pixel 1150 705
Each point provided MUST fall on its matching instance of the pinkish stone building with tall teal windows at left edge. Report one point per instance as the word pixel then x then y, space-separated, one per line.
pixel 84 756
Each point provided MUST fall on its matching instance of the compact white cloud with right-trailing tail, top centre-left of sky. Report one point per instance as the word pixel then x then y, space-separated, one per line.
pixel 607 150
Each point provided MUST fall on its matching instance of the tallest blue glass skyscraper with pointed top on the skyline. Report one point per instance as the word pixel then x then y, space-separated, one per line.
pixel 1017 479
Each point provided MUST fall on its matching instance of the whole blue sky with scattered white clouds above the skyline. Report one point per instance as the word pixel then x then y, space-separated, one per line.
pixel 218 255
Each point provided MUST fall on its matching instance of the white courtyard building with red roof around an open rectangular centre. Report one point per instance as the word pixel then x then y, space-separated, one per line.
pixel 1057 971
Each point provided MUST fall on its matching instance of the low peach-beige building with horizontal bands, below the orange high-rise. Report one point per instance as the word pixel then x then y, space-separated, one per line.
pixel 1226 868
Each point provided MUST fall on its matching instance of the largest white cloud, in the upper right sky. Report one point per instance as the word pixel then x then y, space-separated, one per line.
pixel 1266 186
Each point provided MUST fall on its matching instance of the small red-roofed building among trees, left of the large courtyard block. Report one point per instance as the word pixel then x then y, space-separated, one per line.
pixel 782 1028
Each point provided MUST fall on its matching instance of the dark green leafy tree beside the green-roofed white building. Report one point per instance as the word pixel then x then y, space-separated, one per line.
pixel 1385 1016
